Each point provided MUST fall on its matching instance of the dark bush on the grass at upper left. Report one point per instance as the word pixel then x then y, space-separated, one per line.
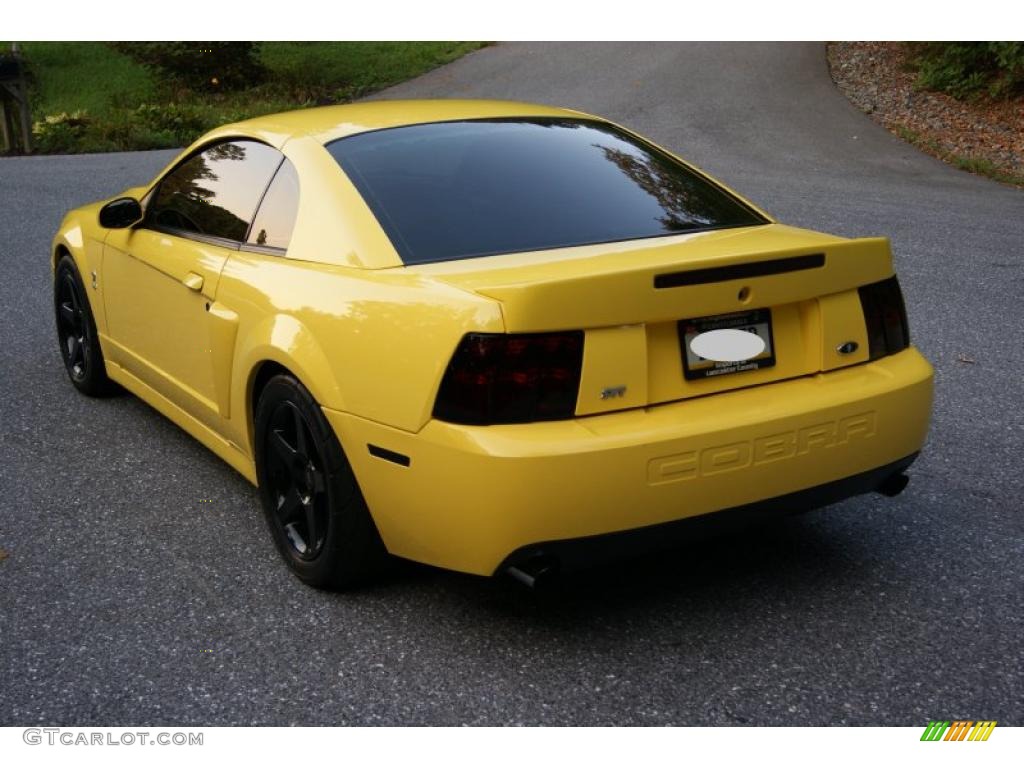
pixel 201 67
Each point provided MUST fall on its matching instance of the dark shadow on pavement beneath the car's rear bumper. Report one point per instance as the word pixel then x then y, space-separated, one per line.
pixel 778 561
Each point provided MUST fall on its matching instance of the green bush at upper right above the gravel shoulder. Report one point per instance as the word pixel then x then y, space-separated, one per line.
pixel 965 70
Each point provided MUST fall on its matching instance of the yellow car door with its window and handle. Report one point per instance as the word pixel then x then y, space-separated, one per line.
pixel 161 276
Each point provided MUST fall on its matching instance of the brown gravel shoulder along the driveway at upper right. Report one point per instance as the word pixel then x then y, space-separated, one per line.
pixel 983 137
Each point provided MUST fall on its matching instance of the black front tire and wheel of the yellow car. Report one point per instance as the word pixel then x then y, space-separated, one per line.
pixel 77 333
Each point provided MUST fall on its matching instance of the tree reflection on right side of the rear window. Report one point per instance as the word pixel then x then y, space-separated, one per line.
pixel 688 203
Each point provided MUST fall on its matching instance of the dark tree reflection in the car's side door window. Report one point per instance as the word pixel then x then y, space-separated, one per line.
pixel 186 204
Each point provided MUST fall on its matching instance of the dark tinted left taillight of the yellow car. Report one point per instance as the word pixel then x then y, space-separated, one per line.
pixel 511 378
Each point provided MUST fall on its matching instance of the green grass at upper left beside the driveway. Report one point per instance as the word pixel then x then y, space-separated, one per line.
pixel 89 98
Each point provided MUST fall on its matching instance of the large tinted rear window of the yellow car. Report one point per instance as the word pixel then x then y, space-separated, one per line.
pixel 458 190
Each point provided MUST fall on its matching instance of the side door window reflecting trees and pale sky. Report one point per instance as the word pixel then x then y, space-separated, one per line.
pixel 217 192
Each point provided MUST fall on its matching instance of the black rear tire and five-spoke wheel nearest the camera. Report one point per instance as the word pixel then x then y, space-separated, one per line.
pixel 312 501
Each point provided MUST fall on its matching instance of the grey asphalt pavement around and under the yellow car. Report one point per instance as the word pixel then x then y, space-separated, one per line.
pixel 139 585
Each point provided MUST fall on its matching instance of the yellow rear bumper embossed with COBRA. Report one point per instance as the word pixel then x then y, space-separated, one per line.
pixel 472 497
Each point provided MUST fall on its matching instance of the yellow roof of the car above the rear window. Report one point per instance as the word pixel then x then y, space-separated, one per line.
pixel 328 123
